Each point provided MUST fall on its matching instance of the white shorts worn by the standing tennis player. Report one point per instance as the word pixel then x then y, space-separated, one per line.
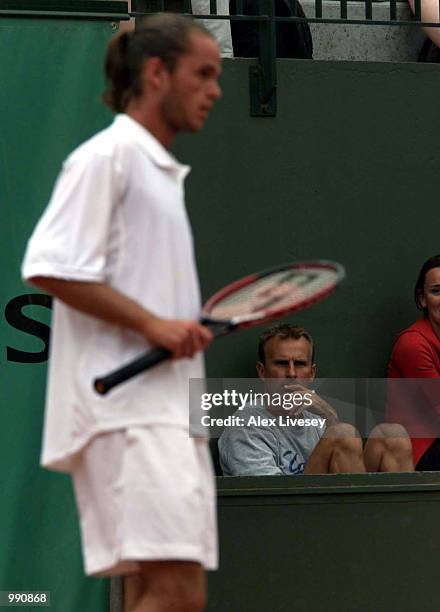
pixel 145 494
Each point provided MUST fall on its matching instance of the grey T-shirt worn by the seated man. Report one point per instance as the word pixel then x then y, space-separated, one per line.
pixel 262 450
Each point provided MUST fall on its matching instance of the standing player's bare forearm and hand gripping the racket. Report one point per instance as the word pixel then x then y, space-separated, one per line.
pixel 182 338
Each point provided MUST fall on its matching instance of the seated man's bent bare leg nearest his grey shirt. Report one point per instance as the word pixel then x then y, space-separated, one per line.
pixel 338 451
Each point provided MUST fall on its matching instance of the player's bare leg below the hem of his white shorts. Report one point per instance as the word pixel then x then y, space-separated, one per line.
pixel 166 586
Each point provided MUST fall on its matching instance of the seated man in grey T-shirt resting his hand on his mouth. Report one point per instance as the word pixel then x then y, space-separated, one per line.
pixel 286 352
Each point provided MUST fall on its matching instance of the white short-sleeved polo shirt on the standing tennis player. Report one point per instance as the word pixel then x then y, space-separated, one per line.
pixel 117 216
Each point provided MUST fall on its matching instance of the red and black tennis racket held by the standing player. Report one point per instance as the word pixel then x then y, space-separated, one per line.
pixel 248 302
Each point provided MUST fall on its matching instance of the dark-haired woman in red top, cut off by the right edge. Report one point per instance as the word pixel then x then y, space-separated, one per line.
pixel 416 354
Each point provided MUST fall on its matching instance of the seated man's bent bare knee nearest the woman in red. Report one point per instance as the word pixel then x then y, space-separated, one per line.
pixel 389 449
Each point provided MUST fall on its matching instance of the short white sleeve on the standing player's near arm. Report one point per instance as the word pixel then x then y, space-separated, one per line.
pixel 71 239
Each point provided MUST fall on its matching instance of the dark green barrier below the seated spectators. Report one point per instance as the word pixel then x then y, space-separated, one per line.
pixel 328 544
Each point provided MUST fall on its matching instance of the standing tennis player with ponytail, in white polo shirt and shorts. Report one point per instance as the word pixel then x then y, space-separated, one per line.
pixel 114 247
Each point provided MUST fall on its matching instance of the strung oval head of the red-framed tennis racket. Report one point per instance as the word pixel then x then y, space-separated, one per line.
pixel 273 293
